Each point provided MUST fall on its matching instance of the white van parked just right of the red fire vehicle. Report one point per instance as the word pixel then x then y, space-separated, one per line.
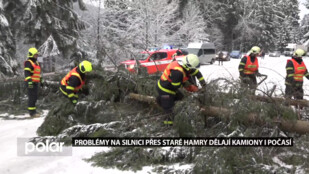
pixel 206 51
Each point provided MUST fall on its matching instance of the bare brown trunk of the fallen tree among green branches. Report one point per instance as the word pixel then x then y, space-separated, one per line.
pixel 297 126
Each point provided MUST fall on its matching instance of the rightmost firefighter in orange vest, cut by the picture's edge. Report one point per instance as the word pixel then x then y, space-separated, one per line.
pixel 295 71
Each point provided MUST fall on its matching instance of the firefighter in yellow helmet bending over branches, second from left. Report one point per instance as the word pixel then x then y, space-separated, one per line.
pixel 75 80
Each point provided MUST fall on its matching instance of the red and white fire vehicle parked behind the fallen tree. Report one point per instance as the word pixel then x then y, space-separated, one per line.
pixel 154 61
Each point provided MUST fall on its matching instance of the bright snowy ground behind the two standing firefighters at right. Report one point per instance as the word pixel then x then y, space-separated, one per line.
pixel 273 67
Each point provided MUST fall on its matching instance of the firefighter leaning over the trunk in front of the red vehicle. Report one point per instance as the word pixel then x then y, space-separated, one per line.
pixel 175 76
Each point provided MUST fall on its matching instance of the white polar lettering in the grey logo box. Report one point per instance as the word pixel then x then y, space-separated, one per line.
pixel 43 147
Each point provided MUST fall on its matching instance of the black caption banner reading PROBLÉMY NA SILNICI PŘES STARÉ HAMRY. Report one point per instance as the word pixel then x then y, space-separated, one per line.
pixel 159 142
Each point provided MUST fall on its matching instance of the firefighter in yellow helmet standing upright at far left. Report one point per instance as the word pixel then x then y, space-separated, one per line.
pixel 32 73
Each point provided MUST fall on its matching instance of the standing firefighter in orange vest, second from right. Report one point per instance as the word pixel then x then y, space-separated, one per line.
pixel 249 68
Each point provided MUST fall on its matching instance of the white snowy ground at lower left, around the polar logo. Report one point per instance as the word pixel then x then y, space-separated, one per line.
pixel 11 163
